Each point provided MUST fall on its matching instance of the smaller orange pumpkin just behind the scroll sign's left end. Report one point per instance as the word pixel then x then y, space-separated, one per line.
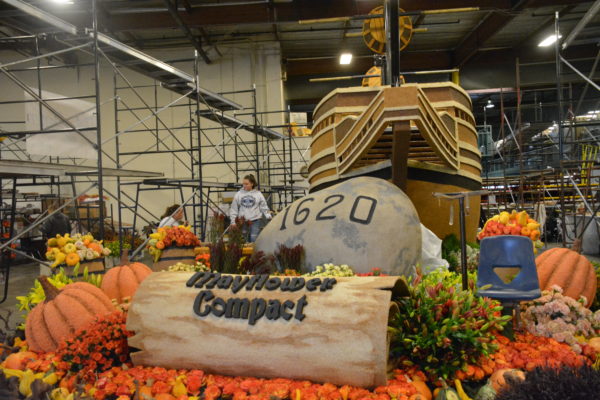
pixel 122 281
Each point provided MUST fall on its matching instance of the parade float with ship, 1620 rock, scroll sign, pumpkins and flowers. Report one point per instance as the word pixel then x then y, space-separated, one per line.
pixel 333 302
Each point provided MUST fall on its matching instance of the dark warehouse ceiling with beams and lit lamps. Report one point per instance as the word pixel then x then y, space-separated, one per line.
pixel 485 40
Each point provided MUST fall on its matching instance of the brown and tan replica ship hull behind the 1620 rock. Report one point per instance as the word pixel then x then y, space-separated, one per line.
pixel 423 132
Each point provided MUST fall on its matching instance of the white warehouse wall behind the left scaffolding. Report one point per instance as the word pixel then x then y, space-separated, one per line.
pixel 238 69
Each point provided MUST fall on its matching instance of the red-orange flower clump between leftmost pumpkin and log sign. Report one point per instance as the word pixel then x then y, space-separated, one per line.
pixel 99 347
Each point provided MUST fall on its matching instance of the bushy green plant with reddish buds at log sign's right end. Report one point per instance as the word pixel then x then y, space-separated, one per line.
pixel 442 328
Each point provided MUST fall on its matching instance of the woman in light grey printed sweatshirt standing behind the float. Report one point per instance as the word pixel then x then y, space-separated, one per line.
pixel 250 204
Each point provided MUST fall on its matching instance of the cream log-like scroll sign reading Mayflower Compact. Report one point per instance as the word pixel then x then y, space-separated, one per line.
pixel 306 328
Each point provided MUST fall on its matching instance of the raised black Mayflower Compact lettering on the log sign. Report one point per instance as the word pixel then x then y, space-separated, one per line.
pixel 206 303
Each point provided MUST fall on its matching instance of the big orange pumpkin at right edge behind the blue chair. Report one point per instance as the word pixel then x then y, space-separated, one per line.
pixel 569 270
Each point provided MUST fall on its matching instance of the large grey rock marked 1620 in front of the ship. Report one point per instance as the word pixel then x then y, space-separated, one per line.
pixel 363 222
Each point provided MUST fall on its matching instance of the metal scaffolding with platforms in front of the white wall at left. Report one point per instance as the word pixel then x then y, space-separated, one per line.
pixel 272 156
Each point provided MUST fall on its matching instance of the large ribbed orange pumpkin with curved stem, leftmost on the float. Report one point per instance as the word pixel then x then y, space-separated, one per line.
pixel 62 313
